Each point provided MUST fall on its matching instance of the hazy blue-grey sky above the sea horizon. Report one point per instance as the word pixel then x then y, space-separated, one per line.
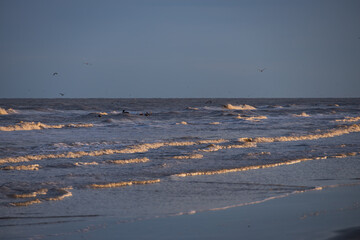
pixel 179 48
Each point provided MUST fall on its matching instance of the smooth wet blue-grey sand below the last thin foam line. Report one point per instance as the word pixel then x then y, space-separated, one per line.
pixel 332 213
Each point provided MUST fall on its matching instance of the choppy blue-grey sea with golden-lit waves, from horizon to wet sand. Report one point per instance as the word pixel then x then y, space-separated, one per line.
pixel 67 161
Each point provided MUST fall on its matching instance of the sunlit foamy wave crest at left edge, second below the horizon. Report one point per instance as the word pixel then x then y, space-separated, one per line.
pixel 27 126
